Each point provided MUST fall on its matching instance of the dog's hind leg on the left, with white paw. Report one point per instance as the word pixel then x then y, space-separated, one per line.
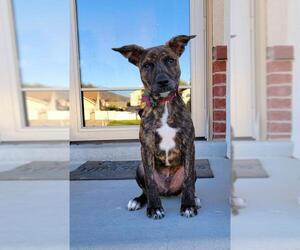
pixel 140 201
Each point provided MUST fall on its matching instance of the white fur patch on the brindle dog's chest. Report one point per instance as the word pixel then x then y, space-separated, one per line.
pixel 167 134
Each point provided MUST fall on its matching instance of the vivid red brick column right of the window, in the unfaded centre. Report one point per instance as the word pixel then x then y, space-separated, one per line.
pixel 219 92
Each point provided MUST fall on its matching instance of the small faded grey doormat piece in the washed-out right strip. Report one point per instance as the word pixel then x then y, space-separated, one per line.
pixel 249 169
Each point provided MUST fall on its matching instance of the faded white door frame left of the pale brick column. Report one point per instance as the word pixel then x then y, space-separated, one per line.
pixel 243 104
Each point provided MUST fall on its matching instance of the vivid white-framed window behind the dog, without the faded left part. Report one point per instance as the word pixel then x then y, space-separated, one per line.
pixel 106 88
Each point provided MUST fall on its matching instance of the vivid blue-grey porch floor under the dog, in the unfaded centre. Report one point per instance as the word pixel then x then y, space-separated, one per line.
pixel 99 218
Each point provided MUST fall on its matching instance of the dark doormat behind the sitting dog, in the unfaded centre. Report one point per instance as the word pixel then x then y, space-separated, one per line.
pixel 124 170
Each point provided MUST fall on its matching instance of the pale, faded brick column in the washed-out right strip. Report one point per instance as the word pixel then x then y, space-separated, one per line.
pixel 279 92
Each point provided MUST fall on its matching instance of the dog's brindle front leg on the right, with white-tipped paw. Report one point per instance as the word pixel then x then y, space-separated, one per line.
pixel 188 204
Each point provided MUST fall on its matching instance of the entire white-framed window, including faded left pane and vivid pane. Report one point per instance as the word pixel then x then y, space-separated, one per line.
pixel 105 90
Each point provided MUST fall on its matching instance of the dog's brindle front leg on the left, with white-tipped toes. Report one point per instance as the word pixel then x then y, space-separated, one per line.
pixel 154 207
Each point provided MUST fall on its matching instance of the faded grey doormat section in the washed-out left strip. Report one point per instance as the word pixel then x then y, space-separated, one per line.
pixel 38 170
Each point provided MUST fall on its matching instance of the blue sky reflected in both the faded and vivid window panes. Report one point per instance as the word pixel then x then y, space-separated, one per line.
pixel 43 29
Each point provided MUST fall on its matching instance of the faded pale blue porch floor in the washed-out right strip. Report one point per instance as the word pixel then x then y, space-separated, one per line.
pixel 271 220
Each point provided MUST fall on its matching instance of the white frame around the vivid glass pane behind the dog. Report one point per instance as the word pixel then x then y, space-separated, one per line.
pixel 198 79
